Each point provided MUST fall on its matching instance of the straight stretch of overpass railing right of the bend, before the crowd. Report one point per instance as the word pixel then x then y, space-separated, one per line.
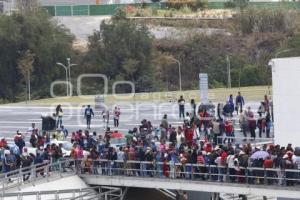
pixel 196 172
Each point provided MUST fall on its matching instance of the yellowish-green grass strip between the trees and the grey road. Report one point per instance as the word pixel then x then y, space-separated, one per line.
pixel 215 95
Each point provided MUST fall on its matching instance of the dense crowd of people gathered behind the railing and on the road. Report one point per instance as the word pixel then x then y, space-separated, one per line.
pixel 168 150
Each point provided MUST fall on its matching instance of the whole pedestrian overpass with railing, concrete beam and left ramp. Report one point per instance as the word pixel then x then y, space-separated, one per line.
pixel 119 174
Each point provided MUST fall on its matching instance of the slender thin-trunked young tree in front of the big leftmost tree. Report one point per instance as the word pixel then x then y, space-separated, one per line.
pixel 25 66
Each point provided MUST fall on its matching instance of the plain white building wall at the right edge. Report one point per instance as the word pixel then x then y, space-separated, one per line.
pixel 286 99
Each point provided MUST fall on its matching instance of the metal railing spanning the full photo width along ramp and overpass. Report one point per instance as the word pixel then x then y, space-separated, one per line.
pixel 196 172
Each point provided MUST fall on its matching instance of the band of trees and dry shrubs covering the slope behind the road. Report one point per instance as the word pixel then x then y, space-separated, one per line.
pixel 124 49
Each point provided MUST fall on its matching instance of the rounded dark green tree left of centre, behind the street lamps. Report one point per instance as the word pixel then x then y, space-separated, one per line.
pixel 121 49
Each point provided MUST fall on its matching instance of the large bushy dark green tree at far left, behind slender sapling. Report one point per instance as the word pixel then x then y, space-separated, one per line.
pixel 47 41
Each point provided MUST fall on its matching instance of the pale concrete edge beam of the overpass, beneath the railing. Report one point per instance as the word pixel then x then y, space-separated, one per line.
pixel 190 185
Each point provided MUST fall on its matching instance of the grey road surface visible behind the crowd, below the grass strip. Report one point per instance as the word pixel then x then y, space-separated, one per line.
pixel 13 118
